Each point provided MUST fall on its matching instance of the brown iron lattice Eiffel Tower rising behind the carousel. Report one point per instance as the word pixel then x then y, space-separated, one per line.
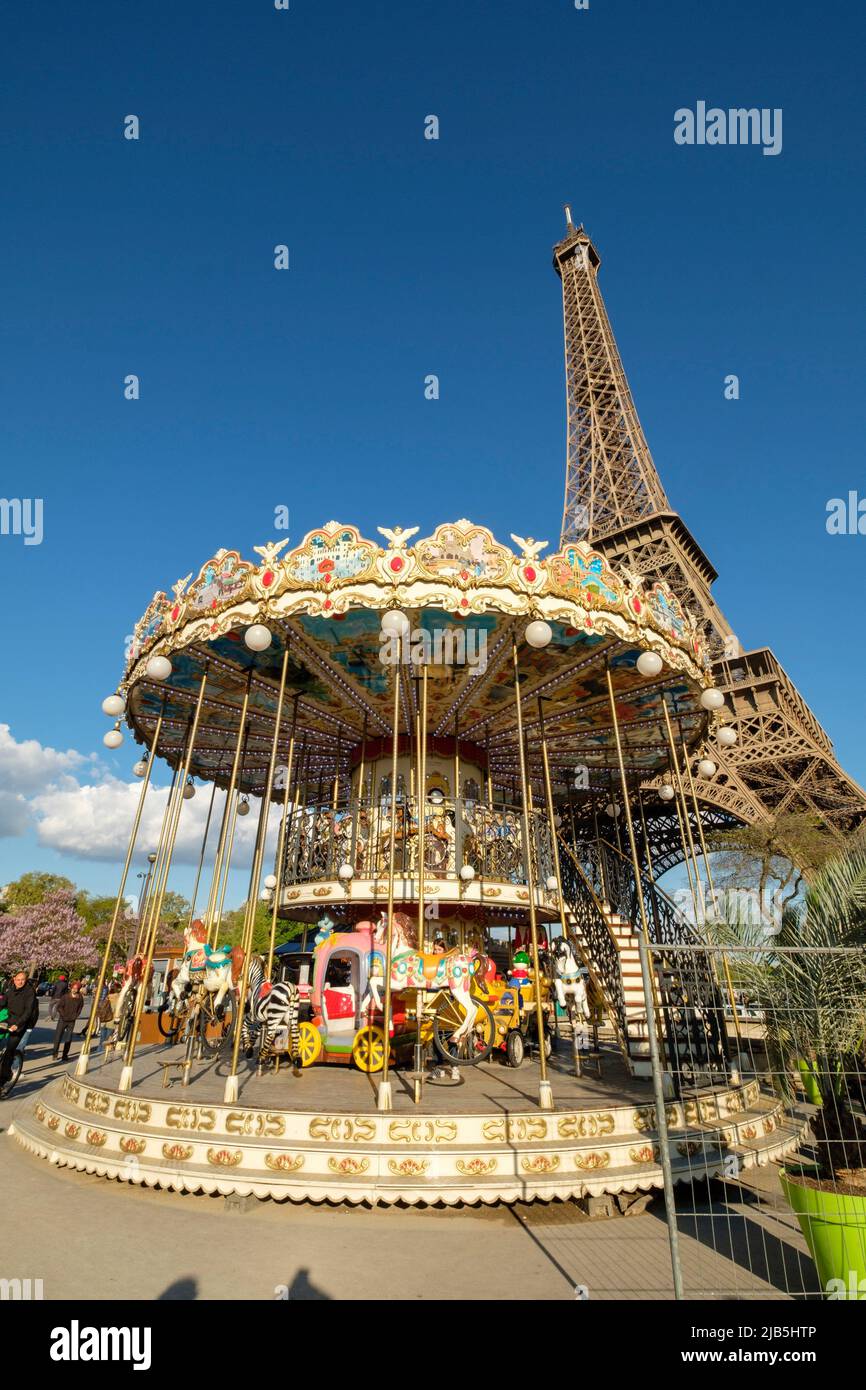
pixel 783 761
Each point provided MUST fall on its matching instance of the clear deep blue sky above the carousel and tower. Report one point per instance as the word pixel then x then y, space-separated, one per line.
pixel 408 256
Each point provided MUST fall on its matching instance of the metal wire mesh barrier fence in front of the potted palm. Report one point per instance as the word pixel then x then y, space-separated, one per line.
pixel 785 1216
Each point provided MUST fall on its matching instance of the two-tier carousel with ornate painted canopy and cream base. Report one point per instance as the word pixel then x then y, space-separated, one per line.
pixel 451 744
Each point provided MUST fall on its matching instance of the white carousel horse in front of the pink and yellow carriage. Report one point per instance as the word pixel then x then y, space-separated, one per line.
pixel 414 970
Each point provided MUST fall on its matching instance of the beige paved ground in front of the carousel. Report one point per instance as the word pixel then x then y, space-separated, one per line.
pixel 87 1236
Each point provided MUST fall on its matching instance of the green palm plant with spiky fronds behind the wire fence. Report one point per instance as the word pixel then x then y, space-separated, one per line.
pixel 811 982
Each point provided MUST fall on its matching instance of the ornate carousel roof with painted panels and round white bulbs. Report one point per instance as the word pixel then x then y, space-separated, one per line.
pixel 326 598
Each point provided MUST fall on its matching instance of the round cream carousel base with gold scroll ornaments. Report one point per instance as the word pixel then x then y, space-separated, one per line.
pixel 320 1138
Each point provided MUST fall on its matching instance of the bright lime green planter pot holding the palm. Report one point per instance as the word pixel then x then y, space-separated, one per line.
pixel 835 1229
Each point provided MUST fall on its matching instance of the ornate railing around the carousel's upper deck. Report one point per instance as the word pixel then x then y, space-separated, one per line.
pixel 323 837
